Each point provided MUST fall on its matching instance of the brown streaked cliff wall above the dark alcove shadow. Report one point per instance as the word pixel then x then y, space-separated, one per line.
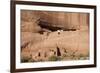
pixel 62 20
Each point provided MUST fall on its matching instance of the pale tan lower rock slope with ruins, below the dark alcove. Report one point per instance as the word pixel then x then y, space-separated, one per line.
pixel 67 45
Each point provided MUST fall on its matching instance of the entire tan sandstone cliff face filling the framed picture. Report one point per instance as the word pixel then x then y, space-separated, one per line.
pixel 42 44
